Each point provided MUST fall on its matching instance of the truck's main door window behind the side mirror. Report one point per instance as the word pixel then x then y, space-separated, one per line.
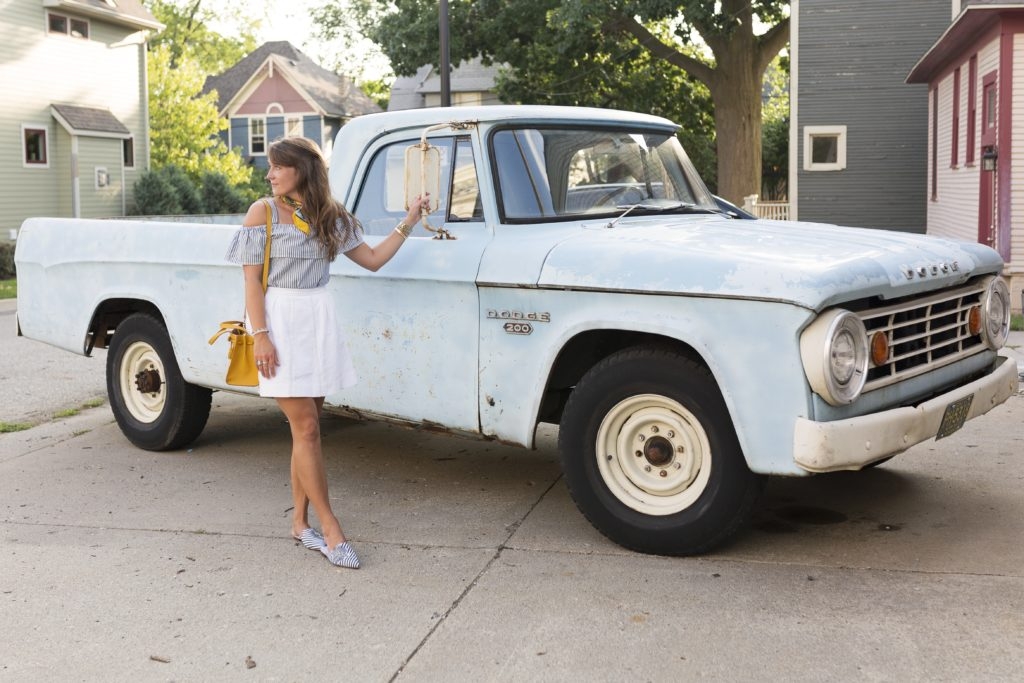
pixel 381 200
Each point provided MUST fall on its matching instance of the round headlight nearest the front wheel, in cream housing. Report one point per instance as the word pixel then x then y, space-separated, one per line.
pixel 835 352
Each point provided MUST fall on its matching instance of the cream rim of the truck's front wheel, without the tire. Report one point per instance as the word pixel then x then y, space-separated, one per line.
pixel 675 461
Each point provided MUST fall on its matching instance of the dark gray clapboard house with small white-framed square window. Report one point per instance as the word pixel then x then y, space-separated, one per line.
pixel 859 134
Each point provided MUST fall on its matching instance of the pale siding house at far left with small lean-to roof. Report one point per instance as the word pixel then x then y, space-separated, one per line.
pixel 74 130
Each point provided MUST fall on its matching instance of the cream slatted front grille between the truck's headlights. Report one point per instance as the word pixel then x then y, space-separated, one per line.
pixel 924 333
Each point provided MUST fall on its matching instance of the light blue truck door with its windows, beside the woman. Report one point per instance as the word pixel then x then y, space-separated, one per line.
pixel 413 327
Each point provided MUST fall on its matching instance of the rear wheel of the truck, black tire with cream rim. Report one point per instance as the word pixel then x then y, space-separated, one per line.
pixel 155 408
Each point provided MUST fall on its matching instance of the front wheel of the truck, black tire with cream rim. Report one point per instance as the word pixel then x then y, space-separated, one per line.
pixel 690 490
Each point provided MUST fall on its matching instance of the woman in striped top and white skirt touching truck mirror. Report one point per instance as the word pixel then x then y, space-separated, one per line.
pixel 298 345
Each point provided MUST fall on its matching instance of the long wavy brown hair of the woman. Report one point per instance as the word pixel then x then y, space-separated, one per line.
pixel 330 223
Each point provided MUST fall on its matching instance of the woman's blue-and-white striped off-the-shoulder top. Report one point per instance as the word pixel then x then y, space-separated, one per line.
pixel 297 261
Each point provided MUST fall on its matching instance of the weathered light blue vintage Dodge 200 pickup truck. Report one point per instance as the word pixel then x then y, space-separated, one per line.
pixel 586 279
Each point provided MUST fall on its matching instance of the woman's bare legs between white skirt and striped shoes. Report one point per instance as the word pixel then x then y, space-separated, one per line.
pixel 309 475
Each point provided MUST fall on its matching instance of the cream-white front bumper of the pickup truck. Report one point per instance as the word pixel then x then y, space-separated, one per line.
pixel 850 445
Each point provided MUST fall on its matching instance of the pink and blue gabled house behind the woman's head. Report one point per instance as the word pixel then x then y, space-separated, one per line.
pixel 277 91
